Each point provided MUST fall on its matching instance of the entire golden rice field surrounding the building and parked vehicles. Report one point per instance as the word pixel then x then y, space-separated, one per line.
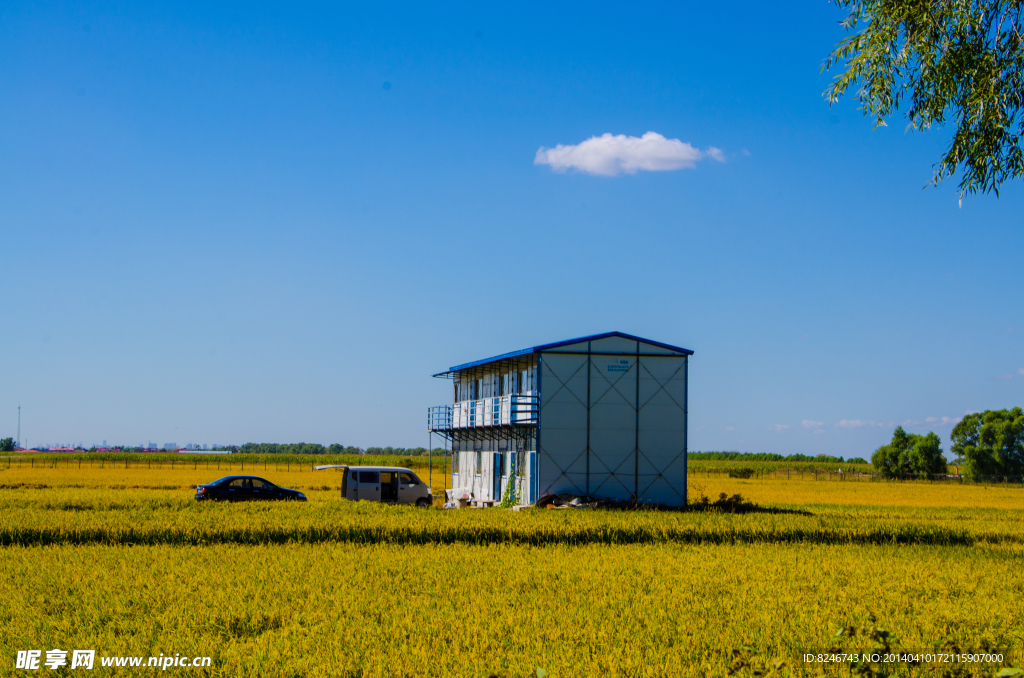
pixel 124 562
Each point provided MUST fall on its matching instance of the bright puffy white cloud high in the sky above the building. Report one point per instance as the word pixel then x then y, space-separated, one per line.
pixel 610 155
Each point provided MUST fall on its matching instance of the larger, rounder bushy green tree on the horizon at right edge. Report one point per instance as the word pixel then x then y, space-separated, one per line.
pixel 992 443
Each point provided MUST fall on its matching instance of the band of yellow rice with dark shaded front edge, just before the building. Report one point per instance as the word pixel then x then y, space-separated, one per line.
pixel 80 517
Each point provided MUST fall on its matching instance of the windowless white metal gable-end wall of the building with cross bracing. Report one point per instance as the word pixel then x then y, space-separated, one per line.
pixel 637 429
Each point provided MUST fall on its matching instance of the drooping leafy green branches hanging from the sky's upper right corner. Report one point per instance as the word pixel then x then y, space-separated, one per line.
pixel 943 60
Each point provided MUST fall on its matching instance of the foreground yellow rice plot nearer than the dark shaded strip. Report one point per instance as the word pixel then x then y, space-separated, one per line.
pixel 344 610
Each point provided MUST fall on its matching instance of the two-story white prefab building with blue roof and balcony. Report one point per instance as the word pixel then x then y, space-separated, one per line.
pixel 600 416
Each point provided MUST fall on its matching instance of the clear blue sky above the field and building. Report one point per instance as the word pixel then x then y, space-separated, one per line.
pixel 254 223
